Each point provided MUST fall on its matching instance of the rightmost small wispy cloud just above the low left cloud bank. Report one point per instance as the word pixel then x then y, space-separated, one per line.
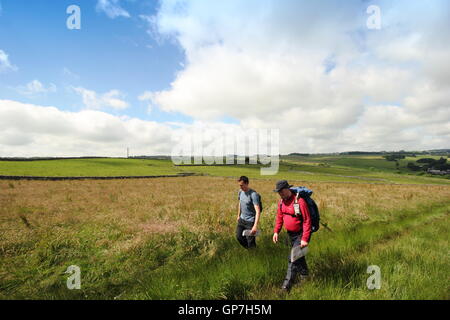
pixel 111 99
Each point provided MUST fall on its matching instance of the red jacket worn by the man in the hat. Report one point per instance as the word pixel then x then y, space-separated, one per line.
pixel 291 223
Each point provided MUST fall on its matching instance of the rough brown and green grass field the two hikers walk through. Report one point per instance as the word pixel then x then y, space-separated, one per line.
pixel 174 239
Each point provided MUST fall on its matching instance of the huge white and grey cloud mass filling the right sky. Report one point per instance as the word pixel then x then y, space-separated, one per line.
pixel 264 63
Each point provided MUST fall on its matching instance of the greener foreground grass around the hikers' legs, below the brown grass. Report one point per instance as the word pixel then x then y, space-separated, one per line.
pixel 411 248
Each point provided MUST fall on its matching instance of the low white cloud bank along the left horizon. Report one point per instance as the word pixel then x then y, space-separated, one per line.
pixel 31 130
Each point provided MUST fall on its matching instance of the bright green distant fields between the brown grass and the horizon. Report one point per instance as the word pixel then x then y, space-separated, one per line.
pixel 338 169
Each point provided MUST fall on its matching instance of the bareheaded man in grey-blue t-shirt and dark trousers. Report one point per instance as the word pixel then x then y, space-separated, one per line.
pixel 249 212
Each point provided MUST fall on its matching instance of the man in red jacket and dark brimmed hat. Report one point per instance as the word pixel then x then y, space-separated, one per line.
pixel 298 228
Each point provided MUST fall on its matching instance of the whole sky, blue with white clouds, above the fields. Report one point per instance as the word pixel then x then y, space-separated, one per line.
pixel 140 73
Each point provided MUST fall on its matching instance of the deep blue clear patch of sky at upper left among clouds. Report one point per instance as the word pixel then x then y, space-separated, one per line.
pixel 105 54
